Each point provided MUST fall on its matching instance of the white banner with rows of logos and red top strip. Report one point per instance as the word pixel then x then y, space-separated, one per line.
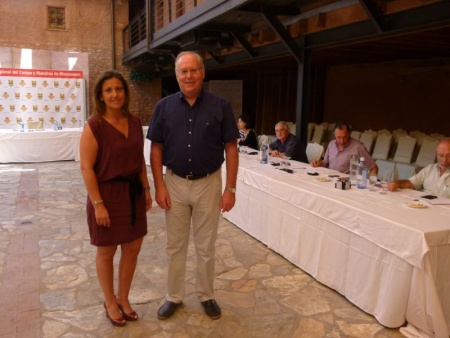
pixel 41 95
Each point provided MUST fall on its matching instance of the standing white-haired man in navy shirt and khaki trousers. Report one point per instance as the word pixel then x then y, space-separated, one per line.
pixel 189 131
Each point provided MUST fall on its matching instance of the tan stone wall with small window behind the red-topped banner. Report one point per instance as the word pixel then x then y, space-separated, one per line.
pixel 88 31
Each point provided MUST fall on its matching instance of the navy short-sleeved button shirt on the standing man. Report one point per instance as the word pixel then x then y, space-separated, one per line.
pixel 193 137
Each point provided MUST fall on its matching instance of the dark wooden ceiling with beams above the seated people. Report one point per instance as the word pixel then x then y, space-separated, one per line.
pixel 276 33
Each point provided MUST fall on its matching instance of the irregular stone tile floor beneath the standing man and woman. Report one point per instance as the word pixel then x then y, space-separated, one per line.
pixel 48 284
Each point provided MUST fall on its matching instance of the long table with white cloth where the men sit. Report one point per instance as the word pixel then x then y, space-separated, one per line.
pixel 390 260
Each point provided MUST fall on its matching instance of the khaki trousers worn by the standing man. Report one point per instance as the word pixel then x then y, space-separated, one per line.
pixel 198 203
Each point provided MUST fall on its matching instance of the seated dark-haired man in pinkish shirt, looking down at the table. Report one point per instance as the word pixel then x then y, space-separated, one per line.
pixel 339 152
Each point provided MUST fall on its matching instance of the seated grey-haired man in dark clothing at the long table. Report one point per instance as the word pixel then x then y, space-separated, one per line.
pixel 287 144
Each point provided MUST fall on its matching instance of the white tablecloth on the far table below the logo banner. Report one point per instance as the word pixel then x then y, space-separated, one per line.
pixel 39 146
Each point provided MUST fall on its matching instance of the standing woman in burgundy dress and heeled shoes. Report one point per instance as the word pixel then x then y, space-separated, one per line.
pixel 115 175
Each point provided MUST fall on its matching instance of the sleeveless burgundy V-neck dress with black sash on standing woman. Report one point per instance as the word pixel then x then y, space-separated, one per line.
pixel 117 167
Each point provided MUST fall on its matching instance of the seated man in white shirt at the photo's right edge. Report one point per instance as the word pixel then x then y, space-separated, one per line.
pixel 433 178
